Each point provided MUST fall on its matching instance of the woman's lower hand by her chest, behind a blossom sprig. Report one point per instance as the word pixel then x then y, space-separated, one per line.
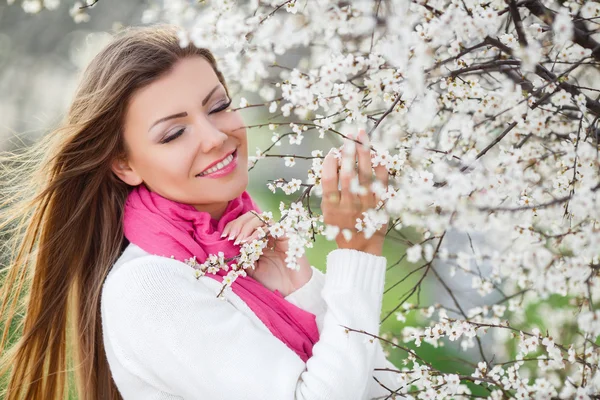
pixel 270 269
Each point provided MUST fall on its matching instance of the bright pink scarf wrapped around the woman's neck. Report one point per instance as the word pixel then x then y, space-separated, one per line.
pixel 168 228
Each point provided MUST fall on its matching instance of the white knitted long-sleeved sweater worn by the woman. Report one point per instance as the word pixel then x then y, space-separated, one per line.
pixel 167 335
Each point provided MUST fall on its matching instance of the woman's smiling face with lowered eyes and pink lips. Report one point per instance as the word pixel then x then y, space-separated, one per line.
pixel 176 129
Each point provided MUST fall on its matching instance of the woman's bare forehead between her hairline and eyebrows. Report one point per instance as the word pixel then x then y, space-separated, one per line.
pixel 185 85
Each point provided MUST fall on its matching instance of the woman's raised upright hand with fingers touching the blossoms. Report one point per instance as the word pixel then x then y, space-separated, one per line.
pixel 342 208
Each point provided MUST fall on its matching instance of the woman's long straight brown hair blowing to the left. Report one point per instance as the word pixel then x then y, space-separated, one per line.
pixel 60 212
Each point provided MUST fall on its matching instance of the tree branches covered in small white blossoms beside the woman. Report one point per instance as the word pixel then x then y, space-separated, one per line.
pixel 485 113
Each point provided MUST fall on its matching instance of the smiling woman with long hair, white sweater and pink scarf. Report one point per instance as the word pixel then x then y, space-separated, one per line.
pixel 148 170
